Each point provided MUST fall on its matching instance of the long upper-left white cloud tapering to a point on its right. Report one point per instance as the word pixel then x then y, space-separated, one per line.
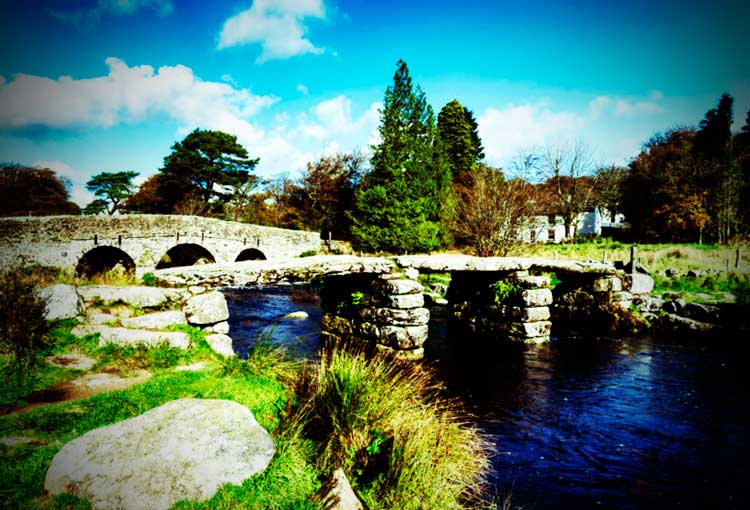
pixel 124 94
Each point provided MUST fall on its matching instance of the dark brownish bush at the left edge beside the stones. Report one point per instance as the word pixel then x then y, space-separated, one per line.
pixel 23 327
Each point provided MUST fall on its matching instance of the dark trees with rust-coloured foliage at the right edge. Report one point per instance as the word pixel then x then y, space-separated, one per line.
pixel 692 184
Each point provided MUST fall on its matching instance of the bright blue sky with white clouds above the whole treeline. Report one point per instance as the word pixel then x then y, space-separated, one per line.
pixel 101 85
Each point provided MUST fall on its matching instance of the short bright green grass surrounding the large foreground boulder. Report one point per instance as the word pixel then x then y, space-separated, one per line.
pixel 289 482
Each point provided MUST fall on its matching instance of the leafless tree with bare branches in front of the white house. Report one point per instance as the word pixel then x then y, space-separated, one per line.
pixel 570 181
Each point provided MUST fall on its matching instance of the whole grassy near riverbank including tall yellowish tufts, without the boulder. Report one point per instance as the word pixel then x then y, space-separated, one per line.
pixel 400 443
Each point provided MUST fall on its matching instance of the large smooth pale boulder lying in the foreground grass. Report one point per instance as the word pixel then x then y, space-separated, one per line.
pixel 183 450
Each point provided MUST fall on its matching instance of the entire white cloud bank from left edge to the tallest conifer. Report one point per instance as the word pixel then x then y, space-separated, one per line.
pixel 284 143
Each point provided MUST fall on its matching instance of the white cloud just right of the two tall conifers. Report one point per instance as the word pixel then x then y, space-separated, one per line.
pixel 507 131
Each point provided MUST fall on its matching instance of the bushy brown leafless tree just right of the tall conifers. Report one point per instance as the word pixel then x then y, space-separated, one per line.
pixel 492 211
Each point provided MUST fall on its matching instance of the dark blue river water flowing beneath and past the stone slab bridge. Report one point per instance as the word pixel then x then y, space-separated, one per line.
pixel 625 424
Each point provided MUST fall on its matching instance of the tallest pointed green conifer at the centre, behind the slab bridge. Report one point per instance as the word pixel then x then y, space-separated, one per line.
pixel 398 206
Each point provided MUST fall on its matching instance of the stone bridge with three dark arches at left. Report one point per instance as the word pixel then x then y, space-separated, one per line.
pixel 144 242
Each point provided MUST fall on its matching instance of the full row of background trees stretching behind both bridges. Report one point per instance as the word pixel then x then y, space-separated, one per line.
pixel 426 185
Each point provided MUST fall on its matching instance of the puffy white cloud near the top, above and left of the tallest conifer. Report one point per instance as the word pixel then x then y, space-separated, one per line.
pixel 277 25
